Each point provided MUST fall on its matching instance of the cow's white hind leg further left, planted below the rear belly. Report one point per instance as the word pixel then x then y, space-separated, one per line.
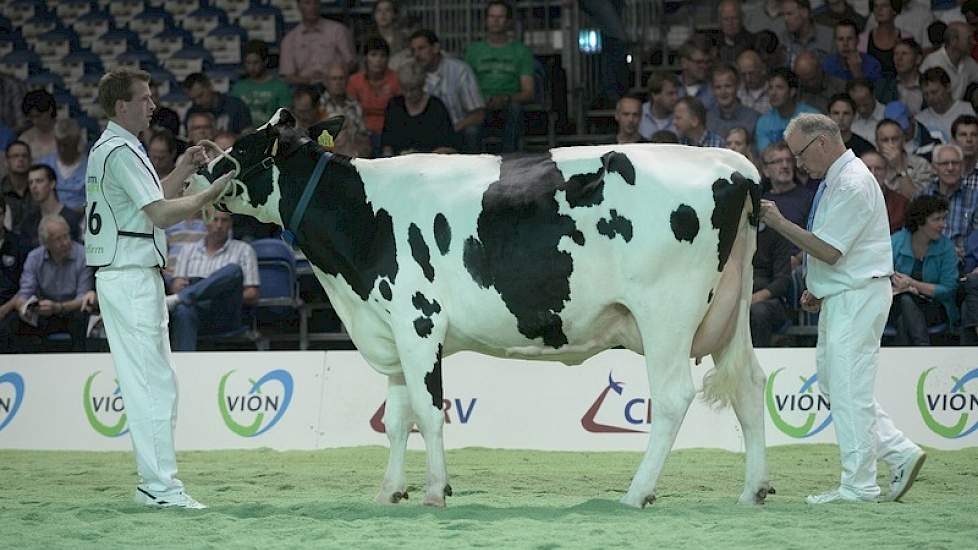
pixel 672 391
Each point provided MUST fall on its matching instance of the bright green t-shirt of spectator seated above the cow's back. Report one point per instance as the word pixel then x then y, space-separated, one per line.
pixel 498 68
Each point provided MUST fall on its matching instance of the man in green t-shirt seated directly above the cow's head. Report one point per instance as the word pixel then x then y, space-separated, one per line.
pixel 260 90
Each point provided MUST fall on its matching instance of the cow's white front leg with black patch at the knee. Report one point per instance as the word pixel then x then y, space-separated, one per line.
pixel 421 352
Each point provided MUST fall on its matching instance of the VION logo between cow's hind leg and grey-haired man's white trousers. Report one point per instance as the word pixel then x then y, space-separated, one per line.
pixel 800 413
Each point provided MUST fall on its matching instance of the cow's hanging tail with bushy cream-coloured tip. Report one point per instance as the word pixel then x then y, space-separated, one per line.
pixel 735 361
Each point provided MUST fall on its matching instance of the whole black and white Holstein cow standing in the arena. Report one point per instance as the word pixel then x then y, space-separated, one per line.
pixel 555 256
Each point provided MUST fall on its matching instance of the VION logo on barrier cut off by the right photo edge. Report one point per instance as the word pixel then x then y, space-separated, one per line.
pixel 955 403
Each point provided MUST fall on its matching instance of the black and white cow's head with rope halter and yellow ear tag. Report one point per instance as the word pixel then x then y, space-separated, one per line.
pixel 255 187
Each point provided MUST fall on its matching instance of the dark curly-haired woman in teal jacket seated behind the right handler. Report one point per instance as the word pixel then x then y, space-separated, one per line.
pixel 925 277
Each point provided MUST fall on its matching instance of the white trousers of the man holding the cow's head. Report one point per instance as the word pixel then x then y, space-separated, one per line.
pixel 136 319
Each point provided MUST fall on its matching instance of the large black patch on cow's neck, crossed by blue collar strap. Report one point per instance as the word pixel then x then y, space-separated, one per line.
pixel 340 233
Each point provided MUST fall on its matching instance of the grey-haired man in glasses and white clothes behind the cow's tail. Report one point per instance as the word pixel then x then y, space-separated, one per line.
pixel 850 262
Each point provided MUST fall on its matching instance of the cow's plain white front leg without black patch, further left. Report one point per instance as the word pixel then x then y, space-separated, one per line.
pixel 398 420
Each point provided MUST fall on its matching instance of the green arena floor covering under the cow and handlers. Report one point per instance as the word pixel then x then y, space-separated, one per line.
pixel 503 499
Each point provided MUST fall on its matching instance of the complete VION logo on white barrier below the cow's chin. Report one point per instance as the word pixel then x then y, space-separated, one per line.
pixel 262 406
